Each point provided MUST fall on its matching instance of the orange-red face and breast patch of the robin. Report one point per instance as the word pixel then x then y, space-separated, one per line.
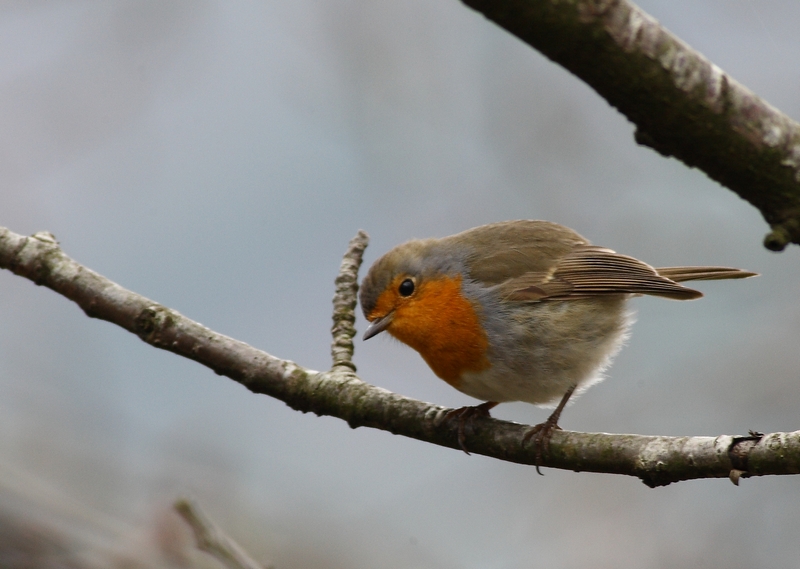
pixel 439 322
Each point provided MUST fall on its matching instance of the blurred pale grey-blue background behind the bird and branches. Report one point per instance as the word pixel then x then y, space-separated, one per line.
pixel 218 156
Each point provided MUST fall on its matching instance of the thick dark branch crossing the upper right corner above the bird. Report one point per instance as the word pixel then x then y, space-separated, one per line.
pixel 682 104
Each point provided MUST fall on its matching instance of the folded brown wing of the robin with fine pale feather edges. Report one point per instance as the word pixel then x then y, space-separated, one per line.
pixel 588 270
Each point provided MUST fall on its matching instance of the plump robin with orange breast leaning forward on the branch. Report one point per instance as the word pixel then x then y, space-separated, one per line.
pixel 516 311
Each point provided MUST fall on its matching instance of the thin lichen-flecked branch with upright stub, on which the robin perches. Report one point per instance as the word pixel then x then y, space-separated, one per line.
pixel 657 461
